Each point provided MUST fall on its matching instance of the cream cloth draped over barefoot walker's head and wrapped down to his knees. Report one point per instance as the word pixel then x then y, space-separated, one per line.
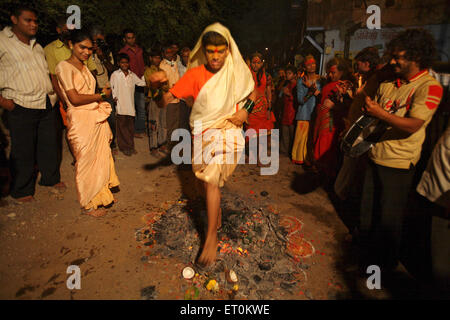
pixel 222 95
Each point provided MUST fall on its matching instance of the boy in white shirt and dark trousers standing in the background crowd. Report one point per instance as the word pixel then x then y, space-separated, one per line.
pixel 123 82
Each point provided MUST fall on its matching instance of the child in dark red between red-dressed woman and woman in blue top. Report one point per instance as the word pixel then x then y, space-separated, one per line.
pixel 289 94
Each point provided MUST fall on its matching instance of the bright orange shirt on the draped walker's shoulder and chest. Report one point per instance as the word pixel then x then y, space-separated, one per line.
pixel 191 83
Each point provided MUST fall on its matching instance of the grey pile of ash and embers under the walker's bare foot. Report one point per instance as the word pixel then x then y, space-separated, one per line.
pixel 252 242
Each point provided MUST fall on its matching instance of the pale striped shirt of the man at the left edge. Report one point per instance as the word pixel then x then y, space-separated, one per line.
pixel 24 75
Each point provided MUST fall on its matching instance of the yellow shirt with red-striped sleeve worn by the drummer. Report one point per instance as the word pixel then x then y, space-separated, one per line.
pixel 421 96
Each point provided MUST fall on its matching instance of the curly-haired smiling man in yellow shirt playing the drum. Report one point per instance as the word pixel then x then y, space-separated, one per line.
pixel 389 174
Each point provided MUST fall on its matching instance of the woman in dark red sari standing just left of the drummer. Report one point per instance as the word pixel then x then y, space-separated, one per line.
pixel 329 124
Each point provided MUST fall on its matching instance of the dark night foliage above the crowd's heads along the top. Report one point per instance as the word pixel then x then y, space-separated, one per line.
pixel 255 24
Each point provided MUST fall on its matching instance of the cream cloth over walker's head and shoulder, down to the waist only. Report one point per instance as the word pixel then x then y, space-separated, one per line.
pixel 228 87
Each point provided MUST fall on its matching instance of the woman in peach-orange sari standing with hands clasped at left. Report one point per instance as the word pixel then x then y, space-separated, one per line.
pixel 88 131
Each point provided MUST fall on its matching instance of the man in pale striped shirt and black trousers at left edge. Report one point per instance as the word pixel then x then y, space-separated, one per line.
pixel 27 93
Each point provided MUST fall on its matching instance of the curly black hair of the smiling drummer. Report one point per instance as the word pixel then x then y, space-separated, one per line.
pixel 419 45
